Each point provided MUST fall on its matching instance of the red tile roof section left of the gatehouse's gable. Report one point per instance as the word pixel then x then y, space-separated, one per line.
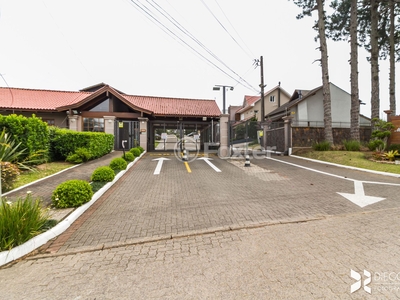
pixel 28 99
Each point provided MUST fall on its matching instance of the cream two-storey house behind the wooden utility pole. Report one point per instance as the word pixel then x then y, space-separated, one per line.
pixel 251 107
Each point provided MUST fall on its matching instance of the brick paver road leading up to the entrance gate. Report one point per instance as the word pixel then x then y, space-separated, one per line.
pixel 266 232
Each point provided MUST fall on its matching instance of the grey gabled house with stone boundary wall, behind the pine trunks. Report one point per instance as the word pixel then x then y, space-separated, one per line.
pixel 305 111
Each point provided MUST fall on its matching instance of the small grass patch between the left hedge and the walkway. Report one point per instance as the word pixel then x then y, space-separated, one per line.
pixel 42 171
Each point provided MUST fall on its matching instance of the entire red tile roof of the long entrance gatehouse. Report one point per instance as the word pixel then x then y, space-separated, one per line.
pixel 48 100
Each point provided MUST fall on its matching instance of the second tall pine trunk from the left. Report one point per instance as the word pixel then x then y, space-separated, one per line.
pixel 355 101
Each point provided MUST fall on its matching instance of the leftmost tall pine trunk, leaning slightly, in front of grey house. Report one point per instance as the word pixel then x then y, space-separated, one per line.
pixel 325 73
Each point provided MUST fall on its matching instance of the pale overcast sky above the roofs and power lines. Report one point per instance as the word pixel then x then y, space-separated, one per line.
pixel 70 45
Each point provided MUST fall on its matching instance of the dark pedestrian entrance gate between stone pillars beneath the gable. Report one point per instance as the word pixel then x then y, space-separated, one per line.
pixel 126 131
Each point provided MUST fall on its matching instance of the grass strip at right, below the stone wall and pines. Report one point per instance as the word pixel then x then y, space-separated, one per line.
pixel 351 158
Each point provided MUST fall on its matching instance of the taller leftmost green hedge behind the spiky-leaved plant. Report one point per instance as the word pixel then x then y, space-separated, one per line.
pixel 32 133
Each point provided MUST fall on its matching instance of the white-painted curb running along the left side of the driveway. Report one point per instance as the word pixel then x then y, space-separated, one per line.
pixel 41 239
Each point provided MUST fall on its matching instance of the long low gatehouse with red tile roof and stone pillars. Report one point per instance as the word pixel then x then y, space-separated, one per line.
pixel 102 108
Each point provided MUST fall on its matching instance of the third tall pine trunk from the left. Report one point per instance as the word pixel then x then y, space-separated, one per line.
pixel 375 102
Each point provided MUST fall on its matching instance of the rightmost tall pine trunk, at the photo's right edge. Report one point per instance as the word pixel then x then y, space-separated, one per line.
pixel 392 74
